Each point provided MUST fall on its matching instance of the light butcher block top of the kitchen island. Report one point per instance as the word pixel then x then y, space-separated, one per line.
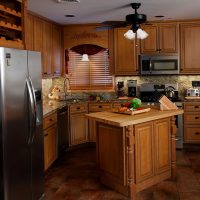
pixel 119 119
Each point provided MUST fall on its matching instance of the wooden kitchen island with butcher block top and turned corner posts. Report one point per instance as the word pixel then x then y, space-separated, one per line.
pixel 135 151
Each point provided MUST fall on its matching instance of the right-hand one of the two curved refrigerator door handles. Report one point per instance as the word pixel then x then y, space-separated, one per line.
pixel 33 110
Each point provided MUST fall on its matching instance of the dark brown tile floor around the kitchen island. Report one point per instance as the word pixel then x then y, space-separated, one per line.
pixel 74 177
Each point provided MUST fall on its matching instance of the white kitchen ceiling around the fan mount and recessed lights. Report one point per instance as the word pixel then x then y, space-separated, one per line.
pixel 96 11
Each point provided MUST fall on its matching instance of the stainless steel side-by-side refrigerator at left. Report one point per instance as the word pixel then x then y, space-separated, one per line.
pixel 21 139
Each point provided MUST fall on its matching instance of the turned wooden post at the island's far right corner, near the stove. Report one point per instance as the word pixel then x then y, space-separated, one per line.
pixel 173 148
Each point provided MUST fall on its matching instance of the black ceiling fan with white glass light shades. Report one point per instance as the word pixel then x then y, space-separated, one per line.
pixel 133 20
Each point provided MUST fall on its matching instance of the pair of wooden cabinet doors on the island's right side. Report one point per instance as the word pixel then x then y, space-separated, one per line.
pixel 153 149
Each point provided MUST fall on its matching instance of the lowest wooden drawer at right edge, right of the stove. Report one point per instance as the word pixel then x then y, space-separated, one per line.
pixel 192 134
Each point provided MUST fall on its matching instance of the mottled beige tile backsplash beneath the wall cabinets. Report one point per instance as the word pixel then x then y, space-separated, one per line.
pixel 184 82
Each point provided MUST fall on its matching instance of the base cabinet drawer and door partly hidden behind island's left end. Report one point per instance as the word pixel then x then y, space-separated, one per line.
pixel 96 107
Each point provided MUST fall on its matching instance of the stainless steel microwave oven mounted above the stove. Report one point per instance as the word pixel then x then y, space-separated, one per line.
pixel 159 64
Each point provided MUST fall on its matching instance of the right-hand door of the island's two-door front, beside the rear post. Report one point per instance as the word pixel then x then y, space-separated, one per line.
pixel 162 145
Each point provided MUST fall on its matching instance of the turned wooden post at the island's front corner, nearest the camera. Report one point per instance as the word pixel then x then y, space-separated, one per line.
pixel 130 144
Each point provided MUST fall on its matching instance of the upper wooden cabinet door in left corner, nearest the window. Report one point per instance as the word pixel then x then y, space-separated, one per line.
pixel 57 50
